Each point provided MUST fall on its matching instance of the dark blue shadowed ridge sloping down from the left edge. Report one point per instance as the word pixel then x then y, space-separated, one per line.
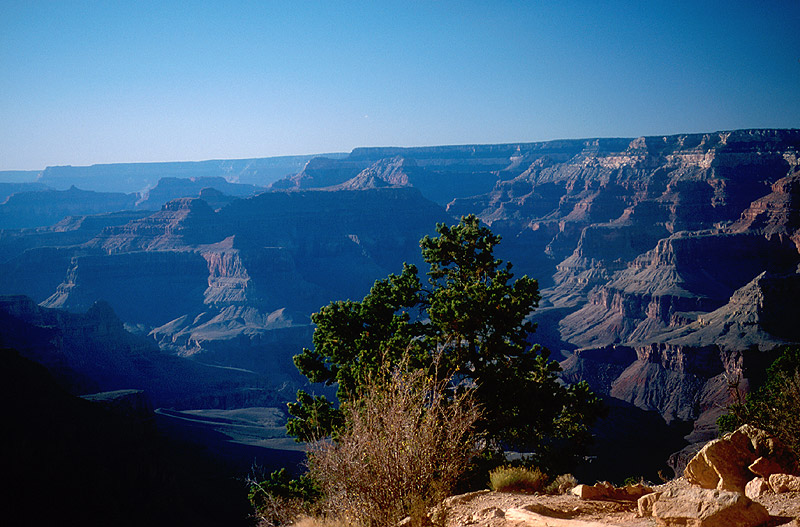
pixel 92 352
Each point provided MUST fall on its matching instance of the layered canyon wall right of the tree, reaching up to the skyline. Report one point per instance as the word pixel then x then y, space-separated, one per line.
pixel 653 249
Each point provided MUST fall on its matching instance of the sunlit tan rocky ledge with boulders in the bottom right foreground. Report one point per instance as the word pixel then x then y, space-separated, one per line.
pixel 742 480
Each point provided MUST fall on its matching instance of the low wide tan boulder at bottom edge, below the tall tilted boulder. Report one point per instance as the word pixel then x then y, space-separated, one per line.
pixel 698 507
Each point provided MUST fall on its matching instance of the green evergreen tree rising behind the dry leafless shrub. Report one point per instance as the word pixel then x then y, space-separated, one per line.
pixel 470 325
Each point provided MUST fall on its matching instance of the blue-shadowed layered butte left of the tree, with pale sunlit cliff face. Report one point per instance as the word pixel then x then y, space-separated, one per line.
pixel 236 286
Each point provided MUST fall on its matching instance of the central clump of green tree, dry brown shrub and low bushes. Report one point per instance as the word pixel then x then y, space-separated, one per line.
pixel 434 383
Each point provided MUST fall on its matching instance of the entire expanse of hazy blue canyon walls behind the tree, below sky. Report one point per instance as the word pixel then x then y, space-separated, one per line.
pixel 668 264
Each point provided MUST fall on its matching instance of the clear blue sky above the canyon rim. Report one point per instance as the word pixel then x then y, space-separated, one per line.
pixel 106 81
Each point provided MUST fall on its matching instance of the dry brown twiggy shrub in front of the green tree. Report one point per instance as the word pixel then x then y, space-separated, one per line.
pixel 407 441
